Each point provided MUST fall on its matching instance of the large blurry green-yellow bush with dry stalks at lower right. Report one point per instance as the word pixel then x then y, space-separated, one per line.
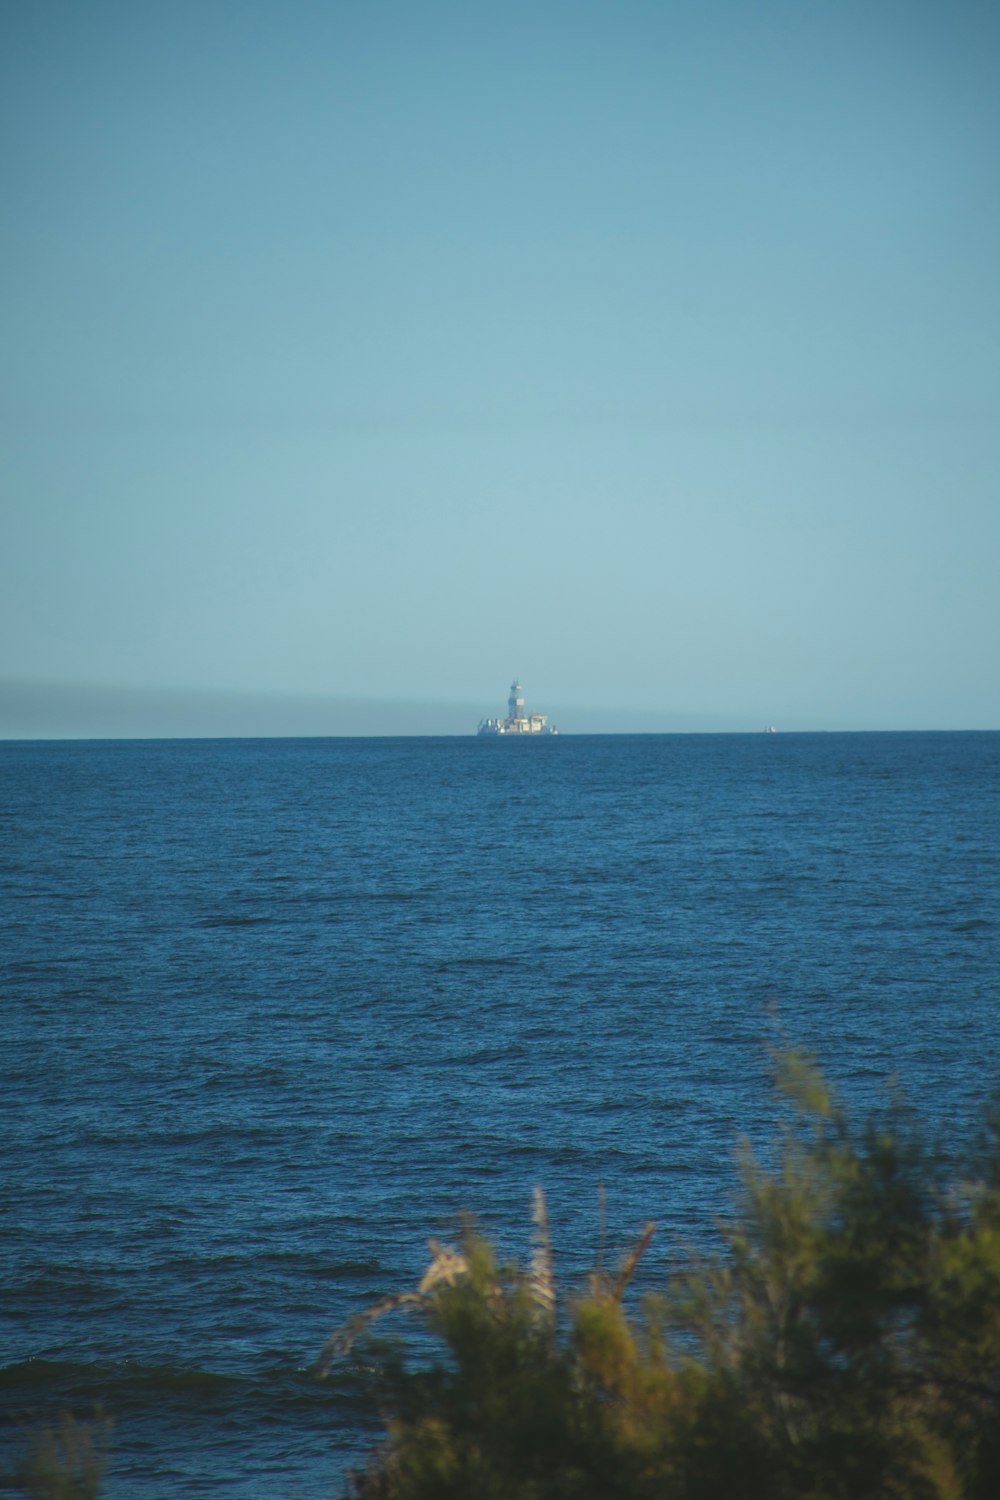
pixel 845 1345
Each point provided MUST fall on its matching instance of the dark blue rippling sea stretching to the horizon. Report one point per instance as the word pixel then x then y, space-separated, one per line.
pixel 277 1012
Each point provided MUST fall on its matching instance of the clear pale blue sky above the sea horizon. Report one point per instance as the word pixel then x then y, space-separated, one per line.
pixel 359 358
